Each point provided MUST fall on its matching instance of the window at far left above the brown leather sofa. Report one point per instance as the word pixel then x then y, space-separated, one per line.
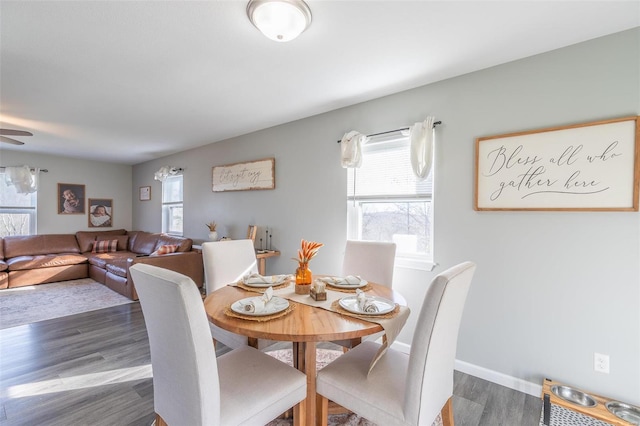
pixel 17 211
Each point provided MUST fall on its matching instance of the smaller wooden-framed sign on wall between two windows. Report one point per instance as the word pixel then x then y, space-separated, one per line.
pixel 259 174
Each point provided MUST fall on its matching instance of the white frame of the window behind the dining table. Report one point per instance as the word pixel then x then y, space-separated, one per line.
pixel 354 212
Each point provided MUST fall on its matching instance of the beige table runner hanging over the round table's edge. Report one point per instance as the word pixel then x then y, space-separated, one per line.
pixel 392 326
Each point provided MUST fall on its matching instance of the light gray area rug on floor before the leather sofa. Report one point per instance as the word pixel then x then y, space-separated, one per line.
pixel 29 304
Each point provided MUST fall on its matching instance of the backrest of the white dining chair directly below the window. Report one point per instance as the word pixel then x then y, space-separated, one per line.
pixel 372 260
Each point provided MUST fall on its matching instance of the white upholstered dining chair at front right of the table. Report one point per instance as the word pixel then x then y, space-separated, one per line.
pixel 405 389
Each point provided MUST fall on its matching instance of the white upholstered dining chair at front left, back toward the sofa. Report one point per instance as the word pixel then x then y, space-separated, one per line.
pixel 192 387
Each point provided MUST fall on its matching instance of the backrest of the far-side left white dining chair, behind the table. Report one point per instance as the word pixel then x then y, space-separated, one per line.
pixel 226 262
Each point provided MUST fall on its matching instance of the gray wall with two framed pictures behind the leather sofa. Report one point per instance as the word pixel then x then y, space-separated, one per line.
pixel 101 180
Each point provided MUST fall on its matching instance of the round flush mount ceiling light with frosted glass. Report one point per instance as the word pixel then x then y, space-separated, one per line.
pixel 279 20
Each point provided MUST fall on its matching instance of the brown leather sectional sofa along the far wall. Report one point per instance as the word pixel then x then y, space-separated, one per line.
pixel 39 259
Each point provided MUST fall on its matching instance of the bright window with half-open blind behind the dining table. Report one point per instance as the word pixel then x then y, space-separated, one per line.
pixel 386 202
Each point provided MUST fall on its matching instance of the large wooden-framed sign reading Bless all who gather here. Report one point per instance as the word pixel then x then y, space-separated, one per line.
pixel 583 167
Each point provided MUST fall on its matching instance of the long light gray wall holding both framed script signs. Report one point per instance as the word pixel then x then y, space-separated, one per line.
pixel 551 288
